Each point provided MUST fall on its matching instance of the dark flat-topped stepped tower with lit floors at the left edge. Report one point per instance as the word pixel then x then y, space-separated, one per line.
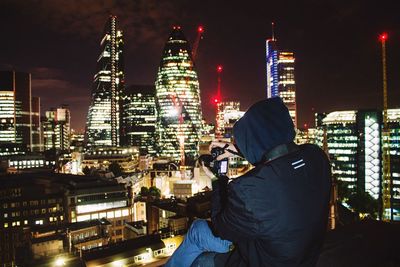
pixel 19 111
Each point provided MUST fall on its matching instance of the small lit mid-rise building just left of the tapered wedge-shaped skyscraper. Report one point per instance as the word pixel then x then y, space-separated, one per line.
pixel 57 129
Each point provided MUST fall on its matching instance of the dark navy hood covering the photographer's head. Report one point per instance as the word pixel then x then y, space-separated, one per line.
pixel 265 125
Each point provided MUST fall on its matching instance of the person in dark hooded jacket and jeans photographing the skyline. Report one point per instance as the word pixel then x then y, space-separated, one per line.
pixel 275 214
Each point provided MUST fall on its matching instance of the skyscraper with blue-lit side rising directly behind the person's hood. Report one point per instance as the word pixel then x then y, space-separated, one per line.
pixel 280 76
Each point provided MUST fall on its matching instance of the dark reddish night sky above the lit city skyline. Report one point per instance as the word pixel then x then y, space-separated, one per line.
pixel 338 63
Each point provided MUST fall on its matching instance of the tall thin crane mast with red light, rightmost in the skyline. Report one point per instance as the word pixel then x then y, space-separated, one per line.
pixel 387 179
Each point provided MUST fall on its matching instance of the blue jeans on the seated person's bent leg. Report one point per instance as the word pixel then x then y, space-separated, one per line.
pixel 198 239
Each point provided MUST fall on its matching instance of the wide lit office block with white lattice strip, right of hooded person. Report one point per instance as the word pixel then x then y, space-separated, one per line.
pixel 353 140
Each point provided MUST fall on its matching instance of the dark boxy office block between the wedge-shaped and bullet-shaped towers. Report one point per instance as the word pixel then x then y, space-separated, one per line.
pixel 139 118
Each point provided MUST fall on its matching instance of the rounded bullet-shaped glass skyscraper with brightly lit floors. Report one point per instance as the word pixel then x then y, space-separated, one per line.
pixel 178 100
